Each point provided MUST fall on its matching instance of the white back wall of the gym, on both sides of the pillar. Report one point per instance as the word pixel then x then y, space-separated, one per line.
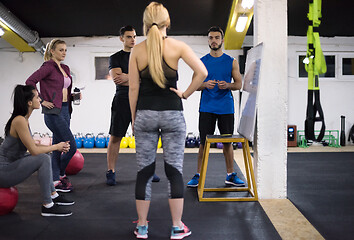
pixel 93 114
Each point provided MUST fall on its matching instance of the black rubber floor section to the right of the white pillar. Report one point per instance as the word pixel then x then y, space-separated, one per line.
pixel 321 186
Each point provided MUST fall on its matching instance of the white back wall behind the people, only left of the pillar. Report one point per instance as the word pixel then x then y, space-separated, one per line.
pixel 93 114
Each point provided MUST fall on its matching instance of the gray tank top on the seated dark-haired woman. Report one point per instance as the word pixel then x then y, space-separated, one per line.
pixel 10 150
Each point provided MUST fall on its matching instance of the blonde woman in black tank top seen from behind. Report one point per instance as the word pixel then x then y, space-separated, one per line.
pixel 156 107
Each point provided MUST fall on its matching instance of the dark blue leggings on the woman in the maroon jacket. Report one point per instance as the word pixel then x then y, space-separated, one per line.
pixel 60 127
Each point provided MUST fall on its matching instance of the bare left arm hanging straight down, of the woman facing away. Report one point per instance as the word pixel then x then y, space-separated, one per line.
pixel 134 84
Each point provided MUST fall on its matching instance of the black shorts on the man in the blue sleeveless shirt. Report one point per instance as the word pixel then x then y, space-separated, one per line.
pixel 207 122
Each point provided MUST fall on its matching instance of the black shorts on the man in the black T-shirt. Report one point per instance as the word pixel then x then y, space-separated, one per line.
pixel 120 117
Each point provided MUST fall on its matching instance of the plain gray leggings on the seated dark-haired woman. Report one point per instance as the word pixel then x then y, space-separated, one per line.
pixel 19 170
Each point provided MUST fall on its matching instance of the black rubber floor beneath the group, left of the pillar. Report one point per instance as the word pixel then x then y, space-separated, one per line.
pixel 103 212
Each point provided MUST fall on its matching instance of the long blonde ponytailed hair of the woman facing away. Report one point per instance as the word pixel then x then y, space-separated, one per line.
pixel 155 17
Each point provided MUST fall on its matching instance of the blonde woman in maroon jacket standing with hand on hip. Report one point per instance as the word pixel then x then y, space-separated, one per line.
pixel 55 84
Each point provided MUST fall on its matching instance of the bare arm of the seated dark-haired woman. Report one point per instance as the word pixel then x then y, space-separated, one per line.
pixel 19 128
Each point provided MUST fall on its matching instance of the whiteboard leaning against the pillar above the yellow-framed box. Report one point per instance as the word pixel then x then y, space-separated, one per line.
pixel 250 90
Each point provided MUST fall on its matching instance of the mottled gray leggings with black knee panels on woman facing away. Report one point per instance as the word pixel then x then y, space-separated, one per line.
pixel 147 128
